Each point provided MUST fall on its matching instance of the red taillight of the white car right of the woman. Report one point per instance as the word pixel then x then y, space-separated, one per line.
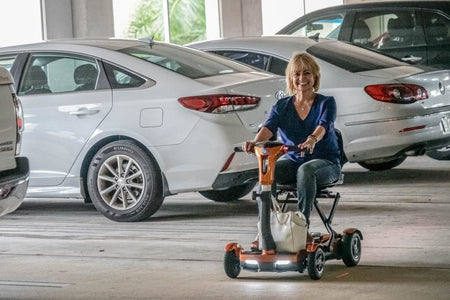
pixel 397 93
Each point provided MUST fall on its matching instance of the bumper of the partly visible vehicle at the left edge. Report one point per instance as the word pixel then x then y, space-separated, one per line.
pixel 13 186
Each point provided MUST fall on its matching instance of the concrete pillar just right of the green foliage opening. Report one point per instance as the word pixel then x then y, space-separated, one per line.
pixel 240 18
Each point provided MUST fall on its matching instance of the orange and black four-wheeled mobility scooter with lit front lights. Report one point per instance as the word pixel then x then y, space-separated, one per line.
pixel 319 247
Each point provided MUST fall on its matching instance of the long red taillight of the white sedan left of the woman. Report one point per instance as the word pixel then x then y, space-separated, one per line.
pixel 219 104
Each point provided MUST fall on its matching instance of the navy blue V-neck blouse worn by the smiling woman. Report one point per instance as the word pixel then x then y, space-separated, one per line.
pixel 293 130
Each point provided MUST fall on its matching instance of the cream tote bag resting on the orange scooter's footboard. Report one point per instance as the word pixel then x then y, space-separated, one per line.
pixel 289 229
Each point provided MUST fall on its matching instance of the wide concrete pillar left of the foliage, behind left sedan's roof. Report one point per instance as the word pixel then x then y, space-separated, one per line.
pixel 77 18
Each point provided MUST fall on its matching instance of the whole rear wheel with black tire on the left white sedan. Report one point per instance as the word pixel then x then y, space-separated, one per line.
pixel 124 183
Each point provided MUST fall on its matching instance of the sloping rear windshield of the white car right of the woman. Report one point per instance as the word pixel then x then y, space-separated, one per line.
pixel 352 58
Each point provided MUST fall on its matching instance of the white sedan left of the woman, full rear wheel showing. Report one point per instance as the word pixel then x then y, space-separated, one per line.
pixel 125 123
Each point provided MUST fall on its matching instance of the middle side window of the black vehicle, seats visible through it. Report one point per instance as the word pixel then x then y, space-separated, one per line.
pixel 381 29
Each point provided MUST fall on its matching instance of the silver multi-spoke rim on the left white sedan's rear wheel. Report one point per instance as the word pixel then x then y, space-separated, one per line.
pixel 121 182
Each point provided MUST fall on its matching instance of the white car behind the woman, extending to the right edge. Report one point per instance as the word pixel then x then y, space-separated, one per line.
pixel 387 109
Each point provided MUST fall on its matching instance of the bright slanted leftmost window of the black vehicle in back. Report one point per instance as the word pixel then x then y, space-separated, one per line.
pixel 324 27
